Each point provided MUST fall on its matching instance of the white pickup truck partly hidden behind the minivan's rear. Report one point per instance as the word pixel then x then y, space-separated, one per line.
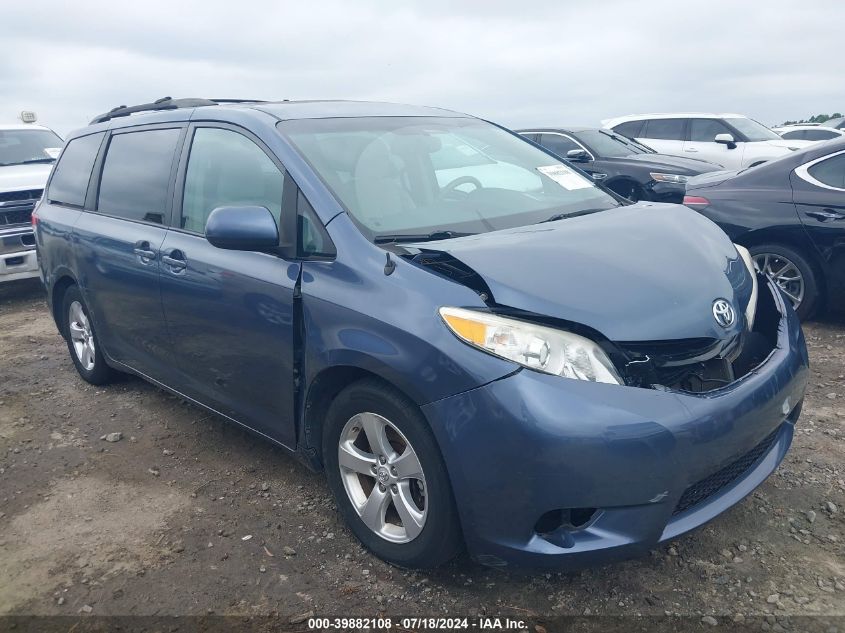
pixel 27 154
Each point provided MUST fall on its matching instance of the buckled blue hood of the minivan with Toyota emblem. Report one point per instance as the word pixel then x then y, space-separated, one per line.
pixel 643 272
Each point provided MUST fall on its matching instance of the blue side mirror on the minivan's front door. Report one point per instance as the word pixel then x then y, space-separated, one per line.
pixel 242 229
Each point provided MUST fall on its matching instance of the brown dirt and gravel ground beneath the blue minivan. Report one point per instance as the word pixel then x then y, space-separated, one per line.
pixel 188 515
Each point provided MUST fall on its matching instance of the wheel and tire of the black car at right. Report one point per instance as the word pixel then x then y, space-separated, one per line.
pixel 793 273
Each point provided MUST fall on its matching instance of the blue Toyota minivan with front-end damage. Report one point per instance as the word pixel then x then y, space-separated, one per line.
pixel 479 346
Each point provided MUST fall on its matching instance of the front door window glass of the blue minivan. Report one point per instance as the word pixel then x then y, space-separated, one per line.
pixel 226 169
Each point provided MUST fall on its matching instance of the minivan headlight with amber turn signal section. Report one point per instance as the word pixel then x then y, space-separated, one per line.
pixel 534 346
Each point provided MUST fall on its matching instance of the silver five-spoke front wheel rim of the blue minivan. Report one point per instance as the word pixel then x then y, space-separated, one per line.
pixel 383 477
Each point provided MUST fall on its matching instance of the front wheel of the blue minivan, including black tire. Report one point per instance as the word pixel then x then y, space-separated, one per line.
pixel 388 477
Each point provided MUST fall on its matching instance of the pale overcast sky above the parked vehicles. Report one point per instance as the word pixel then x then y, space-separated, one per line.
pixel 517 62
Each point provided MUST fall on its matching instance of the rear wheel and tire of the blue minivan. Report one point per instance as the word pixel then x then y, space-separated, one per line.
pixel 82 341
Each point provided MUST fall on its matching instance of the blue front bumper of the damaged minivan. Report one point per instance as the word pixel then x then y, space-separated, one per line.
pixel 532 443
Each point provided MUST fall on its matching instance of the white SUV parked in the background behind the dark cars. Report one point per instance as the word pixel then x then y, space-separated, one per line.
pixel 731 140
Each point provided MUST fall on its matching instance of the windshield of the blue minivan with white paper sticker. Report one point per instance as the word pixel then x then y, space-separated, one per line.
pixel 421 176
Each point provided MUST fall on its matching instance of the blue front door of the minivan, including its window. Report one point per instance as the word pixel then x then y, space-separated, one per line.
pixel 230 313
